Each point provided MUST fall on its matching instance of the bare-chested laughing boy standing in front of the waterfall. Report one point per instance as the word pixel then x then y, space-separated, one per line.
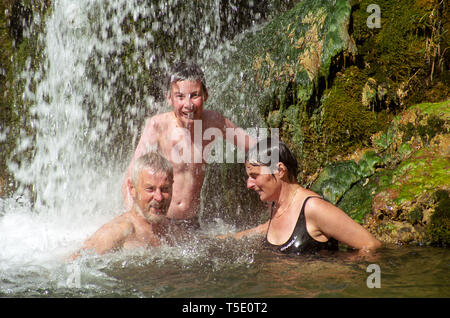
pixel 178 136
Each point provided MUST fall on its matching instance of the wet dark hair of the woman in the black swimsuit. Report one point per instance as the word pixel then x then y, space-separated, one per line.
pixel 268 152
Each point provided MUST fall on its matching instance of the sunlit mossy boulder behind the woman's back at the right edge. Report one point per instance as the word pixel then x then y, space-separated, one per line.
pixel 399 189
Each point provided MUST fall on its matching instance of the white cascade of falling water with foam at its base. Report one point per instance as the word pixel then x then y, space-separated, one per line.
pixel 72 189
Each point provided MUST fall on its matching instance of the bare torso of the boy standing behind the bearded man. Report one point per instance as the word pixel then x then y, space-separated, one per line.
pixel 165 134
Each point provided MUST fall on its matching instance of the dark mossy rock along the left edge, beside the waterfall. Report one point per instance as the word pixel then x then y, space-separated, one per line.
pixel 17 50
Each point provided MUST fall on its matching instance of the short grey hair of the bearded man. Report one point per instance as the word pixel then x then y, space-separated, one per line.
pixel 152 160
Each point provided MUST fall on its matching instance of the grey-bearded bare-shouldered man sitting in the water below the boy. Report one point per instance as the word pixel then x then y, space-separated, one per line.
pixel 145 224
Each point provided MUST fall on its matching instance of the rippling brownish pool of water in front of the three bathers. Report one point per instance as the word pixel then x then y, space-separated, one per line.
pixel 208 267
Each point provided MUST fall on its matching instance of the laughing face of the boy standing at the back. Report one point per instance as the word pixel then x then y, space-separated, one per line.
pixel 187 98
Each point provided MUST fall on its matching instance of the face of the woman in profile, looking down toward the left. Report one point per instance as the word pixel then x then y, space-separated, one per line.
pixel 261 180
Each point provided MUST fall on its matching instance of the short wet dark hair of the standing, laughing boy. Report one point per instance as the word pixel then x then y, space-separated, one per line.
pixel 185 71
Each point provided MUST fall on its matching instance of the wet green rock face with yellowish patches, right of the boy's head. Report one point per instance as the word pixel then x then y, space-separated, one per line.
pixel 278 67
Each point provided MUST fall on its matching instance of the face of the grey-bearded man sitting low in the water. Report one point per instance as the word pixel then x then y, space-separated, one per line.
pixel 152 194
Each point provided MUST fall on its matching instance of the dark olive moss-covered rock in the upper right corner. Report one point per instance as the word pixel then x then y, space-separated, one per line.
pixel 392 69
